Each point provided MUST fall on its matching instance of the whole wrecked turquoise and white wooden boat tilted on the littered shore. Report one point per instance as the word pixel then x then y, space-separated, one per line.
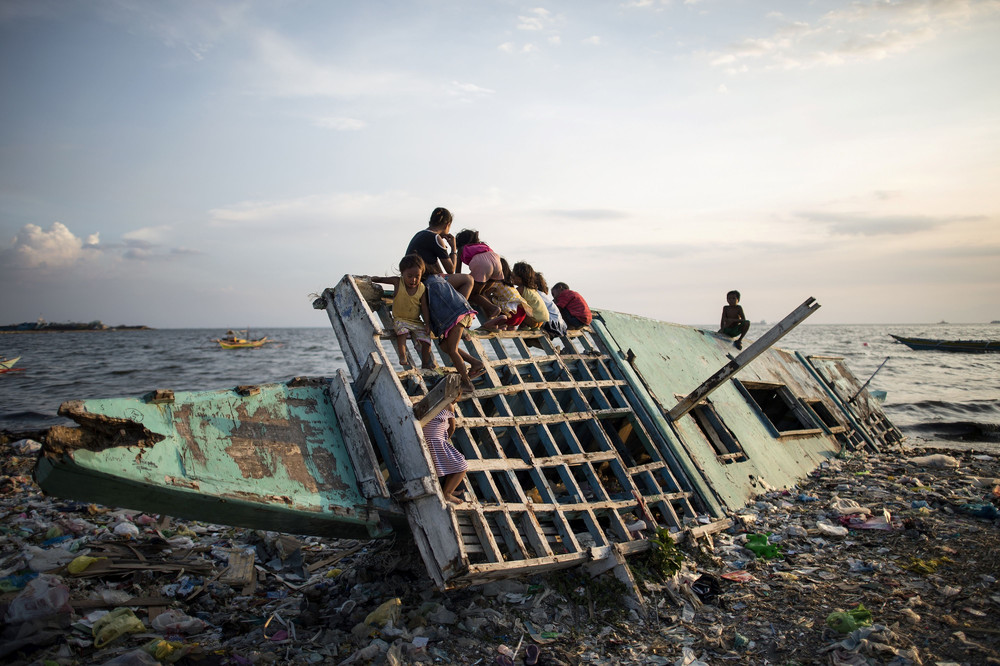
pixel 579 448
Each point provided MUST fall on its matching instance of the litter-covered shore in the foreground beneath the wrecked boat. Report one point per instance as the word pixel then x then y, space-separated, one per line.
pixel 878 559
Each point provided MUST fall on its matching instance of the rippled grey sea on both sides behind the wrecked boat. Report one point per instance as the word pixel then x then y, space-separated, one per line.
pixel 931 395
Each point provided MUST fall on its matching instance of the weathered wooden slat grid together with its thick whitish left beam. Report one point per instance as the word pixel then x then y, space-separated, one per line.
pixel 562 471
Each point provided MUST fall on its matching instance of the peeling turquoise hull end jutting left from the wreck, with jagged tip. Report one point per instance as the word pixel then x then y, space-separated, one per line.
pixel 269 457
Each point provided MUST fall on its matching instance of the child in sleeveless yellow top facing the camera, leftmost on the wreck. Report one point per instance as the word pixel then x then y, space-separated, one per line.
pixel 409 310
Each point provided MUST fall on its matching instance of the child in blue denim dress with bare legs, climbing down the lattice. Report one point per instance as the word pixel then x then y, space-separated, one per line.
pixel 450 315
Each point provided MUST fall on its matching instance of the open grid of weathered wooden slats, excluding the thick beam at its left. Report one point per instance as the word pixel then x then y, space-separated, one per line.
pixel 559 463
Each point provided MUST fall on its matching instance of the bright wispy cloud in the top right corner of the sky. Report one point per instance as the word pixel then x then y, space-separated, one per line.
pixel 865 31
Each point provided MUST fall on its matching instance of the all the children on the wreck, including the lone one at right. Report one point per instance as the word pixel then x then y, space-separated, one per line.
pixel 434 298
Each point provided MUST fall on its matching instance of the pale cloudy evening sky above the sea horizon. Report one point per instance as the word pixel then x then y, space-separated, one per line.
pixel 215 164
